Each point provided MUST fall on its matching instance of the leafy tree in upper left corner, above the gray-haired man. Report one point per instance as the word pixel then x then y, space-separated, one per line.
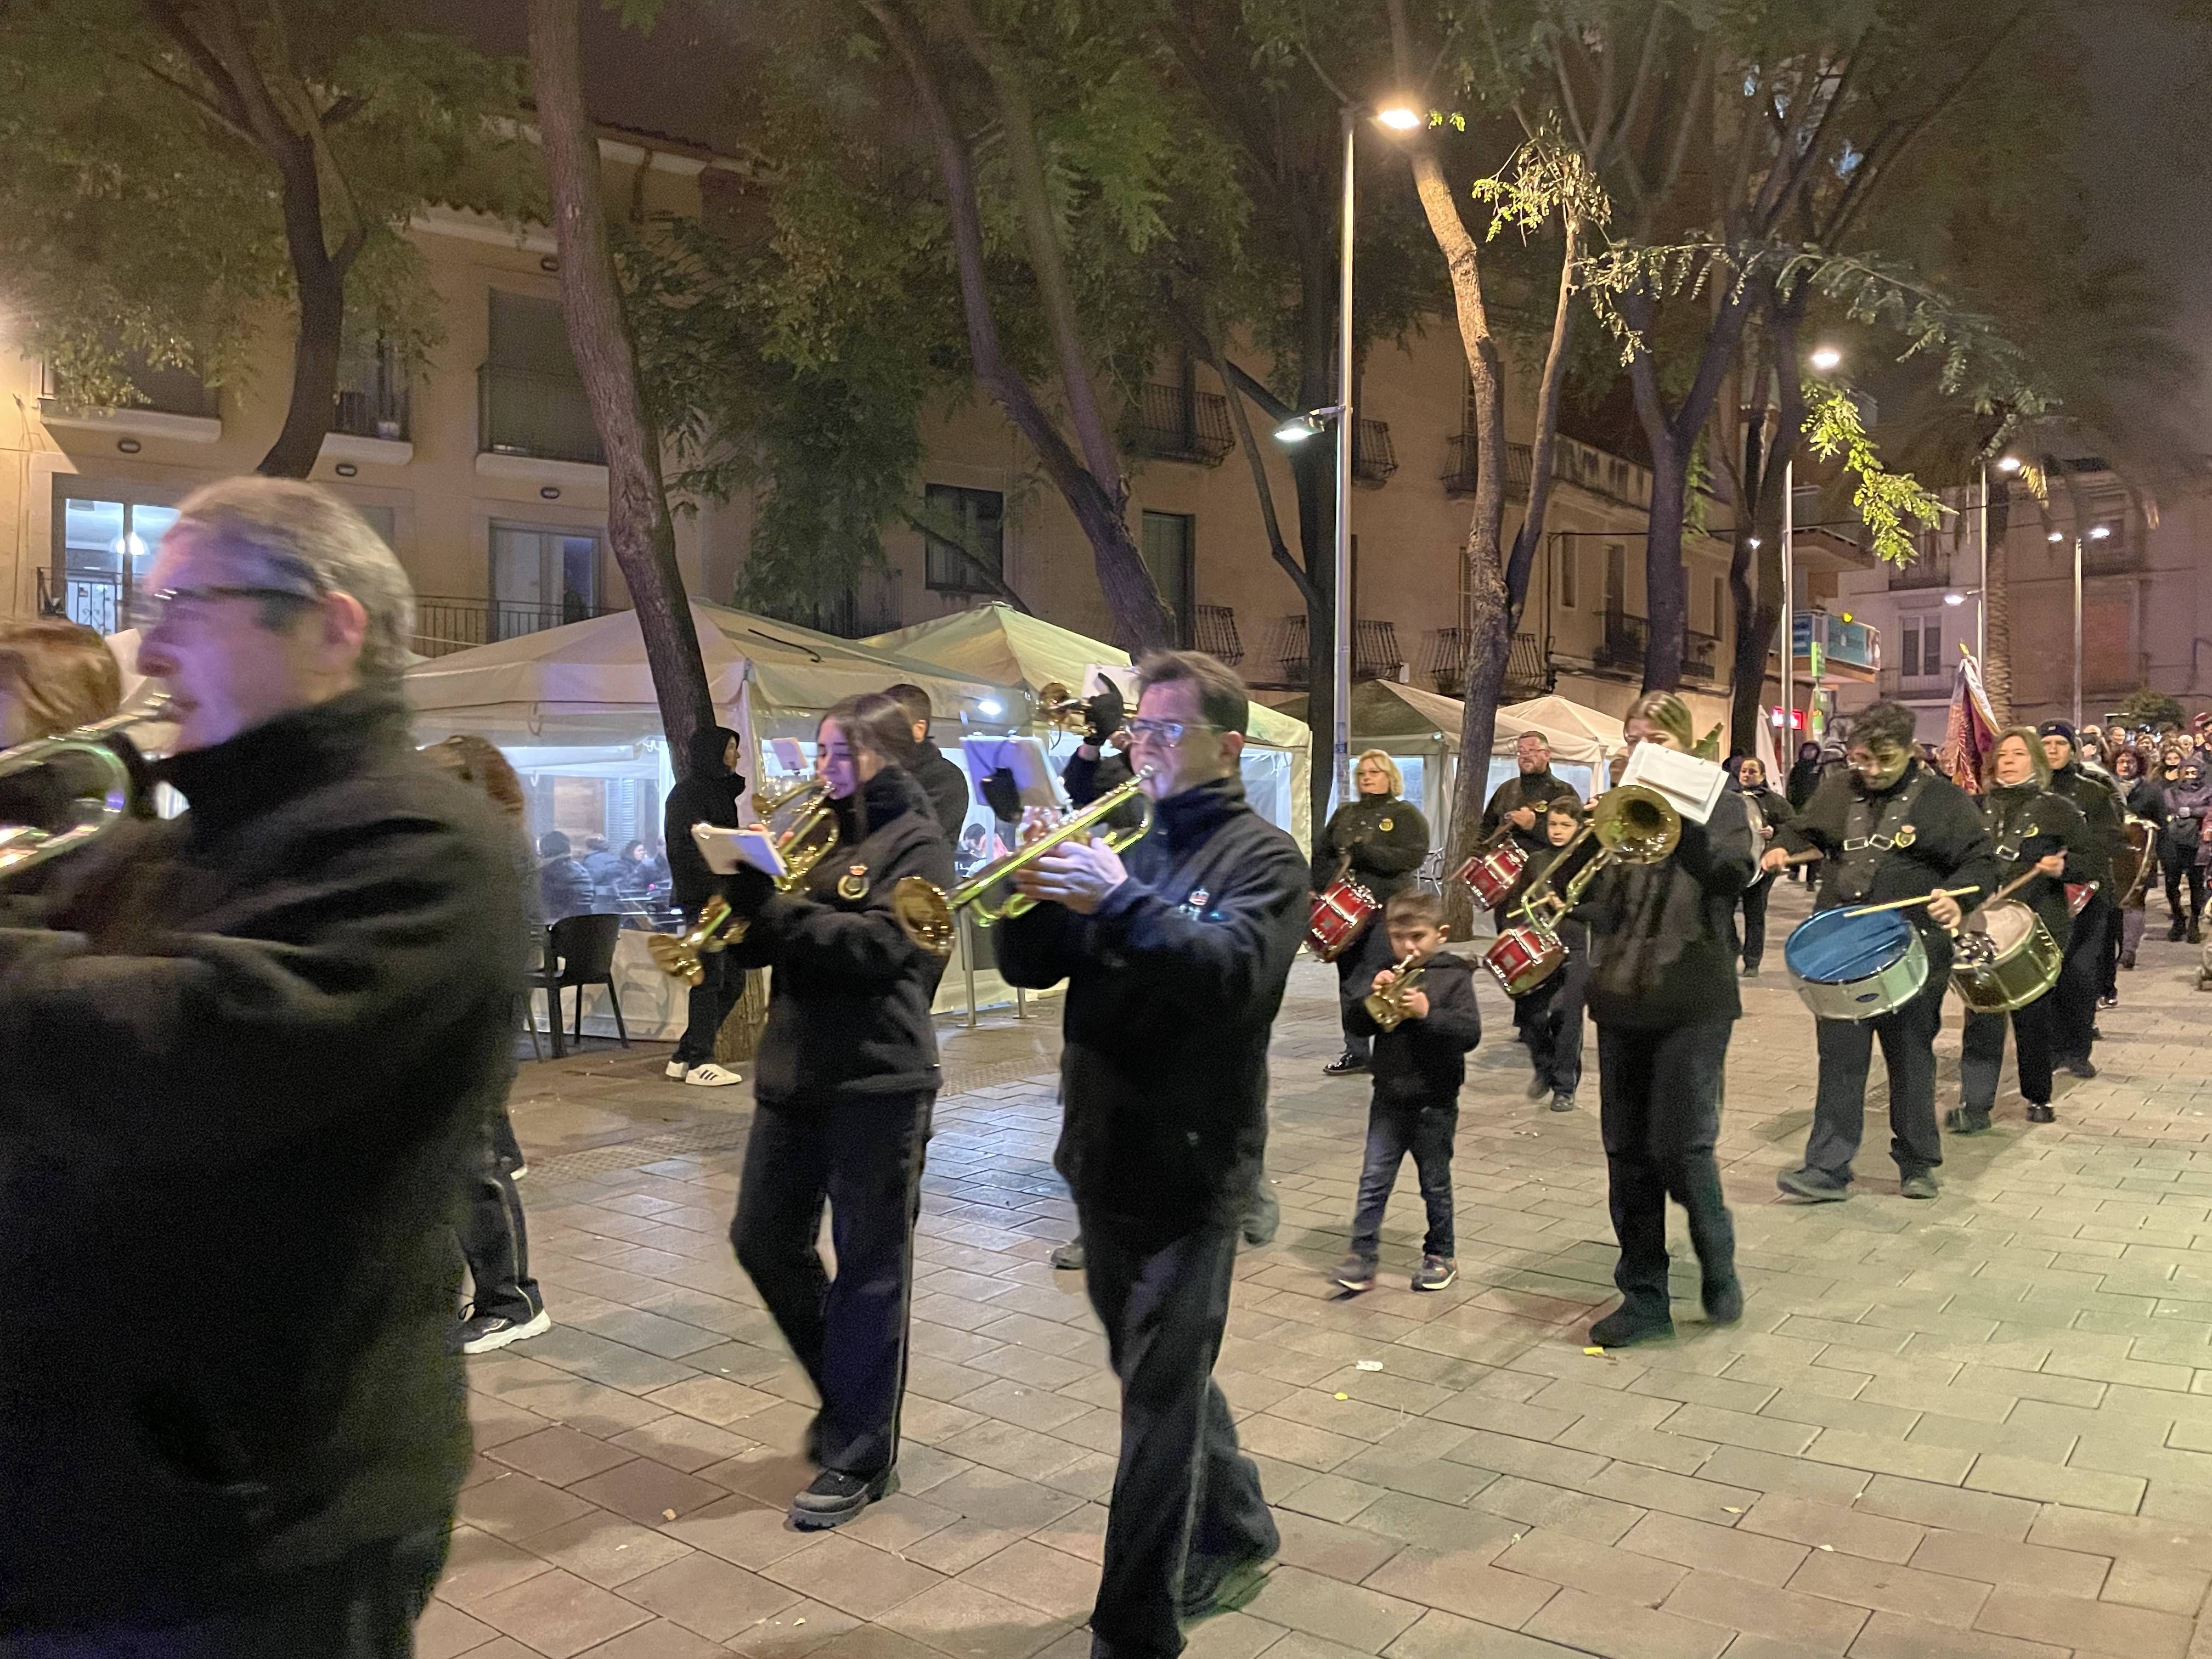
pixel 180 165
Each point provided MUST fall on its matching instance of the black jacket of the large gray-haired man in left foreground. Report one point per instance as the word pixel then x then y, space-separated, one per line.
pixel 244 1081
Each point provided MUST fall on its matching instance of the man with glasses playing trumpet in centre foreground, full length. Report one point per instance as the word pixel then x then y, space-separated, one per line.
pixel 1176 959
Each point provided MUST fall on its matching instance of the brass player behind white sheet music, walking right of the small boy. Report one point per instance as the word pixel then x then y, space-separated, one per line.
pixel 1665 999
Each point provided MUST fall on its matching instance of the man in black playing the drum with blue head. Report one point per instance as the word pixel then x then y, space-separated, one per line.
pixel 1886 828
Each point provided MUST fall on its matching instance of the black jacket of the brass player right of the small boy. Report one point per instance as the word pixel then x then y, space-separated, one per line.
pixel 1665 937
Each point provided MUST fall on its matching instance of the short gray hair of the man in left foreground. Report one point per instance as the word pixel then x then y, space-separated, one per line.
pixel 313 536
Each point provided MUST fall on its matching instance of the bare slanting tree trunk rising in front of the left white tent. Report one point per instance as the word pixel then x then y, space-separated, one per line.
pixel 638 523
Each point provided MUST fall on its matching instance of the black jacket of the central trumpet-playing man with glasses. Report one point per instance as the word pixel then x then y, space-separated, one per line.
pixel 1173 988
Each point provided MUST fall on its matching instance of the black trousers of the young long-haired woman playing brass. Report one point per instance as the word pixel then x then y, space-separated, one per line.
pixel 864 1156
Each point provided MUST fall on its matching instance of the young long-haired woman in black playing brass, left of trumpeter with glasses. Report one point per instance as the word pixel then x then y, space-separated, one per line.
pixel 844 1089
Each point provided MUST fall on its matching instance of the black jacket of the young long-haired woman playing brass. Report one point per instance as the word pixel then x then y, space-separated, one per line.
pixel 848 1010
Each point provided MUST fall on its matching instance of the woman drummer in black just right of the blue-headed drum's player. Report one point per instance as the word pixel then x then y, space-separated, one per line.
pixel 2043 833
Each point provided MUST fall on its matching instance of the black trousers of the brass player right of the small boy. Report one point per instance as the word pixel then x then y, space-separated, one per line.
pixel 1660 1114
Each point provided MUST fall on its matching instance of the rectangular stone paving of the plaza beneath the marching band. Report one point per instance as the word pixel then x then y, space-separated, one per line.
pixel 1963 1430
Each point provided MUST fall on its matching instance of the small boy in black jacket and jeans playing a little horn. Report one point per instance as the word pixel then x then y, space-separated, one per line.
pixel 1417 1072
